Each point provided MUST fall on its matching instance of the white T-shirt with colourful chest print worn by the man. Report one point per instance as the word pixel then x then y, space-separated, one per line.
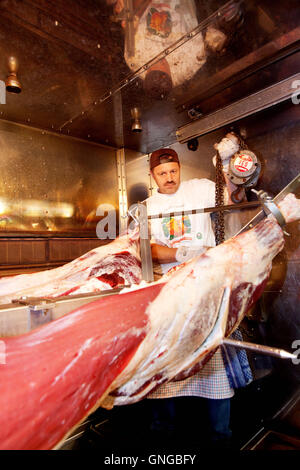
pixel 187 229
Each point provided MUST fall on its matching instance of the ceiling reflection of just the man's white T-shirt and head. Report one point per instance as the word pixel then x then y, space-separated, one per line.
pixel 152 27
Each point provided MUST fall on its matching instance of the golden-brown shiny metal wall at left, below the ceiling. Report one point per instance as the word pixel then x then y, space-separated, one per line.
pixel 52 184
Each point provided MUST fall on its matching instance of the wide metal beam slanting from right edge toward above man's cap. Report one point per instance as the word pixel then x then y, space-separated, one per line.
pixel 252 104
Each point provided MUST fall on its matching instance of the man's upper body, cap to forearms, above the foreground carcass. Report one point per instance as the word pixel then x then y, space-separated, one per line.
pixel 178 239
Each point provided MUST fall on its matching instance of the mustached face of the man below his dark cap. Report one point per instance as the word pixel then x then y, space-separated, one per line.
pixel 167 177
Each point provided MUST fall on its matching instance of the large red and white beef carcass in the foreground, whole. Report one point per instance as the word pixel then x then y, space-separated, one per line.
pixel 119 348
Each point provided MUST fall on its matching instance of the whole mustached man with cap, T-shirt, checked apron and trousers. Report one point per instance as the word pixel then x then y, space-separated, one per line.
pixel 173 241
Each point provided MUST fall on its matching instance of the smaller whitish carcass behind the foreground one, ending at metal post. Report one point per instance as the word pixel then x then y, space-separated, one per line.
pixel 113 265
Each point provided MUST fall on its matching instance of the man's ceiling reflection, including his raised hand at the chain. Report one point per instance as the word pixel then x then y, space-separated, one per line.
pixel 153 27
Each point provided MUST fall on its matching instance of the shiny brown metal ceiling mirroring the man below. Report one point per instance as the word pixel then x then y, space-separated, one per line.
pixel 85 65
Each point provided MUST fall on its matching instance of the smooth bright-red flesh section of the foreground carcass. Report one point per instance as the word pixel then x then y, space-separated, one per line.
pixel 57 374
